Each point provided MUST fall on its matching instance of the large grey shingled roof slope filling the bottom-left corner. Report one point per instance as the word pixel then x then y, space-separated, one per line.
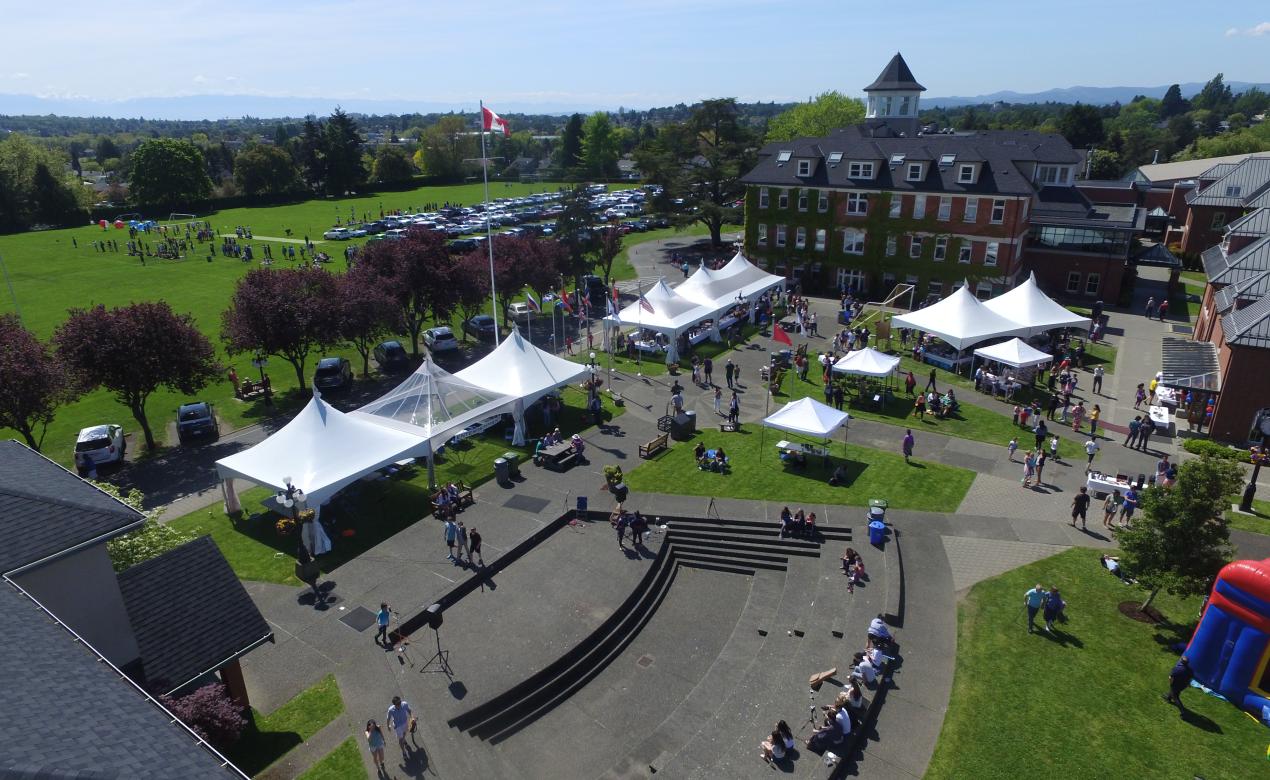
pixel 65 713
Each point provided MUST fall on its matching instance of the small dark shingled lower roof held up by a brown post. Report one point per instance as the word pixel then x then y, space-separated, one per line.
pixel 190 613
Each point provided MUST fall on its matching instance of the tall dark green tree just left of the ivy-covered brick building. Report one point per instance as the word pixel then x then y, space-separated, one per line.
pixel 700 165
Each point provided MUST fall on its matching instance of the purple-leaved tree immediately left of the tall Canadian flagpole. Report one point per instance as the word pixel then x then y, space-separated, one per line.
pixel 420 272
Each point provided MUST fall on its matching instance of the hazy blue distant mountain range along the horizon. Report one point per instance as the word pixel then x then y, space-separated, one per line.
pixel 223 107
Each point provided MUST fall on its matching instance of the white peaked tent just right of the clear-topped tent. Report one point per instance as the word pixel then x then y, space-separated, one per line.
pixel 518 368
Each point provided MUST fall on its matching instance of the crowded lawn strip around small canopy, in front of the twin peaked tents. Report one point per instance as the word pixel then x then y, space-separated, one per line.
pixel 972 422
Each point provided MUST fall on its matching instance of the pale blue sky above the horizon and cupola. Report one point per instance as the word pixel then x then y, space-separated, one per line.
pixel 615 53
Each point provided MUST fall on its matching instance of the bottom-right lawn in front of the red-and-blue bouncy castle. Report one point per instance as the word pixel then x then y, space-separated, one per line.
pixel 1015 711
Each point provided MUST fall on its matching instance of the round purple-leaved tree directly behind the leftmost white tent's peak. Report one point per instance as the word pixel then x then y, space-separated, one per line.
pixel 285 313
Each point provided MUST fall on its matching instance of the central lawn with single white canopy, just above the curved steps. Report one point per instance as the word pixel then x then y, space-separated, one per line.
pixel 759 474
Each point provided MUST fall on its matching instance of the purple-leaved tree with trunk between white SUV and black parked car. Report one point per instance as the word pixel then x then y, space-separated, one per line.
pixel 135 350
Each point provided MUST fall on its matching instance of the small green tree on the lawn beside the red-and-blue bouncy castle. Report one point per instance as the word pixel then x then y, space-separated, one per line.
pixel 1179 541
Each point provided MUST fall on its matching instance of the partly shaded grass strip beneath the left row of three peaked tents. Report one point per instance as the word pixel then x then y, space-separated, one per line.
pixel 373 511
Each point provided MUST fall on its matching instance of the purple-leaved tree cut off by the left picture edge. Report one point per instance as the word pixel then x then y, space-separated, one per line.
pixel 34 383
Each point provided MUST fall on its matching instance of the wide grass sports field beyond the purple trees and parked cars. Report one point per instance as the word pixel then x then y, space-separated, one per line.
pixel 51 275
